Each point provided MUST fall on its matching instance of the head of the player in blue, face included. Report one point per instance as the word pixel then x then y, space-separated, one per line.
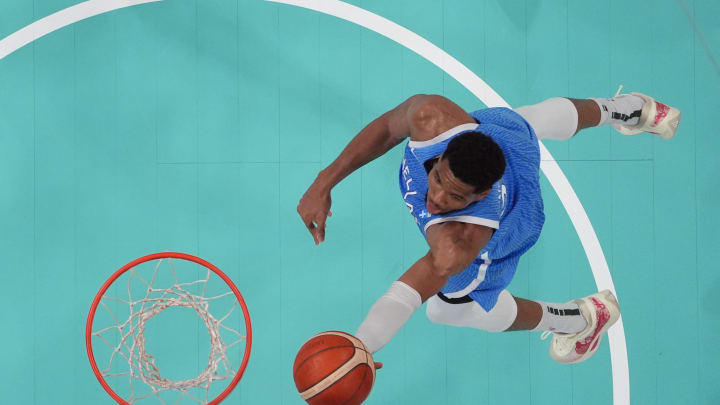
pixel 465 173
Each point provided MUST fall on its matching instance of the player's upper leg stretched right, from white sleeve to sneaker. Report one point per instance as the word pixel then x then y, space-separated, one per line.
pixel 561 118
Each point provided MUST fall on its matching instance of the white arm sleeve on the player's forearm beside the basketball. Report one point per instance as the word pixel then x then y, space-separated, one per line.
pixel 388 315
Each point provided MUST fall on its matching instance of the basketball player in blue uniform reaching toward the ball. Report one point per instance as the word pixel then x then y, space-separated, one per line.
pixel 470 180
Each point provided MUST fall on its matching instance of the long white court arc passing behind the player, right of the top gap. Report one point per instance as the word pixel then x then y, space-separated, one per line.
pixel 560 183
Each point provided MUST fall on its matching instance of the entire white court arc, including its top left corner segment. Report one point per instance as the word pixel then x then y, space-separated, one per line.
pixel 424 48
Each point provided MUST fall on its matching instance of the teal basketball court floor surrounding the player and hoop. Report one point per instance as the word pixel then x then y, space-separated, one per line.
pixel 196 125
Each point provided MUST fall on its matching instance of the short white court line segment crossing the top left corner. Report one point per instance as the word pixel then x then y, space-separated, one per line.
pixel 62 18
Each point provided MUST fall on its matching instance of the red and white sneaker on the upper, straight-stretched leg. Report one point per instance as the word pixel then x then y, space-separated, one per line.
pixel 655 117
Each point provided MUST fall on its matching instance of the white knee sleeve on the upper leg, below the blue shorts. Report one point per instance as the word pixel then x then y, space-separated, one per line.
pixel 555 118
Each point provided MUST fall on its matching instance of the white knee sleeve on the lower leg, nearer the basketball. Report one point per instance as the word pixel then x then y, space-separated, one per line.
pixel 472 315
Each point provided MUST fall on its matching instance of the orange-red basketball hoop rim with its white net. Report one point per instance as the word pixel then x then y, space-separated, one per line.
pixel 148 290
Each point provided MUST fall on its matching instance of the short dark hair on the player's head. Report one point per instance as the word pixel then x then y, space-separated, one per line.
pixel 475 159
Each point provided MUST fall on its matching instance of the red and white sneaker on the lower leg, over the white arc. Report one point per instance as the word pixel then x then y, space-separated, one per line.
pixel 601 311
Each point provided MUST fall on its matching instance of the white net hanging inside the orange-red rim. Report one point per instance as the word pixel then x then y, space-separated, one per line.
pixel 131 346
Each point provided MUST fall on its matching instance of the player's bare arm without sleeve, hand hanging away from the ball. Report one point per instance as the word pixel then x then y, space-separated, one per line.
pixel 373 141
